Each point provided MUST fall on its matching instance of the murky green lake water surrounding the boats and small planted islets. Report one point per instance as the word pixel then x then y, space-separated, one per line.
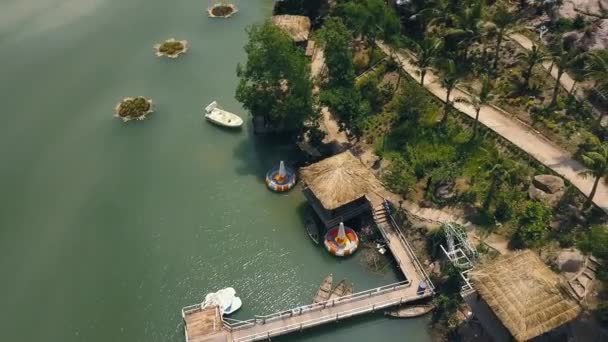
pixel 107 229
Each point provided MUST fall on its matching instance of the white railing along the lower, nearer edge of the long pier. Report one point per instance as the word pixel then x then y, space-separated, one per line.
pixel 328 318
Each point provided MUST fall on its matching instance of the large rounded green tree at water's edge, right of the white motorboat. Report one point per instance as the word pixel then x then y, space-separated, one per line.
pixel 275 83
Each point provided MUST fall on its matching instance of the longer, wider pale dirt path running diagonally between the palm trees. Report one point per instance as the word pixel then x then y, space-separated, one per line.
pixel 518 133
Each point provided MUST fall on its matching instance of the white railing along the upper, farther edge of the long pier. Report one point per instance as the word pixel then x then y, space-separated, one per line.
pixel 263 319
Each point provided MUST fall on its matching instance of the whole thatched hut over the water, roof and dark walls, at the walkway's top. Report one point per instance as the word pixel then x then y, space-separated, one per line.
pixel 338 187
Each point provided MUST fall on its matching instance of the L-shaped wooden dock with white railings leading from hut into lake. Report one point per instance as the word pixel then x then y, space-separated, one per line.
pixel 307 316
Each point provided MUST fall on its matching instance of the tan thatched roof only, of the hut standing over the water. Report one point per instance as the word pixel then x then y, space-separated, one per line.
pixel 339 180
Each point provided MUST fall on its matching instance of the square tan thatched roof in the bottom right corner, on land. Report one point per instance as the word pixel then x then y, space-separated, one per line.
pixel 524 294
